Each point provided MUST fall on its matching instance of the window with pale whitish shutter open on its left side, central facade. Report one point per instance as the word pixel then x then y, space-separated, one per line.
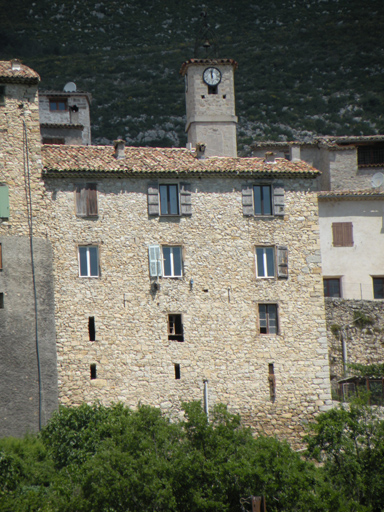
pixel 165 261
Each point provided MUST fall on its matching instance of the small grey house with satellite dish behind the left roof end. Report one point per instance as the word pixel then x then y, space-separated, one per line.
pixel 65 116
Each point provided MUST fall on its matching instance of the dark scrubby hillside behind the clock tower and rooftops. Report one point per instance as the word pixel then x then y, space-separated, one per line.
pixel 305 67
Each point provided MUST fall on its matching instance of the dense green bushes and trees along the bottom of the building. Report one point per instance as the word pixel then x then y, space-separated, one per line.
pixel 114 459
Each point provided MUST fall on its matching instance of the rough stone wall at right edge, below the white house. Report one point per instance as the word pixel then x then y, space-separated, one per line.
pixel 364 345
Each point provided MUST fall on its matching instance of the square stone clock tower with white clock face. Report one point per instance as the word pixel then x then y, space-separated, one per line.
pixel 210 102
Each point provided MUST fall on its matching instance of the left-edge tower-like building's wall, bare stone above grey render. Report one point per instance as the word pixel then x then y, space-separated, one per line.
pixel 19 390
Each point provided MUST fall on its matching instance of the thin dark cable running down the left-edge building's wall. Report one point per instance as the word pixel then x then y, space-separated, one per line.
pixel 27 180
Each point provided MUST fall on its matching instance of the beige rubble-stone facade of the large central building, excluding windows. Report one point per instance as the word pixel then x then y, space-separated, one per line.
pixel 133 356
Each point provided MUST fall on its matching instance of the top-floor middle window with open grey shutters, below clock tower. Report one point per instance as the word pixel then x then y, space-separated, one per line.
pixel 169 199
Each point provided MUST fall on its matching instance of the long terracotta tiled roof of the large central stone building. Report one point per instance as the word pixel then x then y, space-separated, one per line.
pixel 64 160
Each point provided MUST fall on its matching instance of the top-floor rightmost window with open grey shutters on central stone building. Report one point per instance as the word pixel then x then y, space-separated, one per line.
pixel 263 199
